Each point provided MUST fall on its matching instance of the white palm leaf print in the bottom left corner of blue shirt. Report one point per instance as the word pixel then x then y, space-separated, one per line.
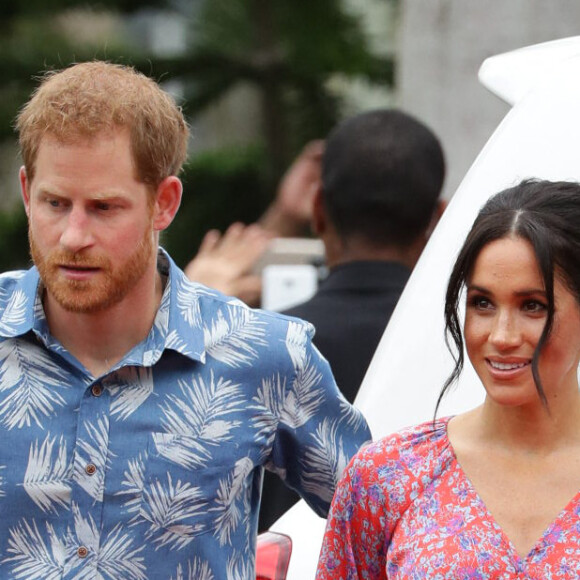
pixel 33 559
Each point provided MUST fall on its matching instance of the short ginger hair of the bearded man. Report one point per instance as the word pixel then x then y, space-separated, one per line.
pixel 94 98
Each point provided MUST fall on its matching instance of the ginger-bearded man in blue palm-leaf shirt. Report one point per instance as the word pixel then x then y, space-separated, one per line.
pixel 138 410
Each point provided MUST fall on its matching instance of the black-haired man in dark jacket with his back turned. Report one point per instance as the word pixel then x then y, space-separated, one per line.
pixel 376 204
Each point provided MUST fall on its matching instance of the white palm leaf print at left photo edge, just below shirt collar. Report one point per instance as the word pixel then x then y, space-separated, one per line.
pixel 33 382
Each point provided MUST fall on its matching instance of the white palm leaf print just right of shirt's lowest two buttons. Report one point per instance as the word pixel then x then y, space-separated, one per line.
pixel 167 506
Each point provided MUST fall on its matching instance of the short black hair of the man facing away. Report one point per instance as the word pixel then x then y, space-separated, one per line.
pixel 382 174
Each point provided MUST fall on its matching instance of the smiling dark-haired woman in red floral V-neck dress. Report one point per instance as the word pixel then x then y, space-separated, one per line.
pixel 494 492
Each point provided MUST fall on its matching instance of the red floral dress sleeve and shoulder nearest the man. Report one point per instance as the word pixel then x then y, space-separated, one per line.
pixel 374 495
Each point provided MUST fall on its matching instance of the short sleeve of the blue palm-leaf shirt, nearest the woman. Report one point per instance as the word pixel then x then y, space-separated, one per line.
pixel 318 430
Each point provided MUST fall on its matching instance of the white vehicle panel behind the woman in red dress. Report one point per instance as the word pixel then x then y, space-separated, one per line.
pixel 537 138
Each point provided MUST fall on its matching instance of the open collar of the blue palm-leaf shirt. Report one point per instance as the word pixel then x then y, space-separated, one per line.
pixel 177 325
